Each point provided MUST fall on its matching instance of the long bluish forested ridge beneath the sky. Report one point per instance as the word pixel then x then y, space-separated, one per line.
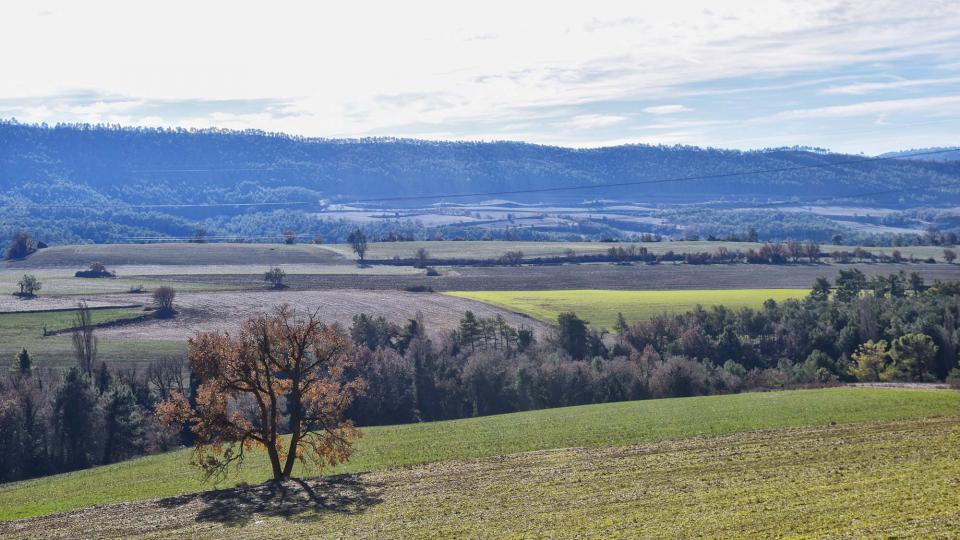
pixel 82 182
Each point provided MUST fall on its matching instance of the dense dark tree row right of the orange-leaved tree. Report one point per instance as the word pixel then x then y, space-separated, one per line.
pixel 906 328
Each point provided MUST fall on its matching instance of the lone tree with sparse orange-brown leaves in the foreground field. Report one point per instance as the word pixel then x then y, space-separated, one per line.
pixel 282 372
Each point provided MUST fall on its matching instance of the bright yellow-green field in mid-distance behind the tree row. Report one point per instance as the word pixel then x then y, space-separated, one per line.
pixel 600 307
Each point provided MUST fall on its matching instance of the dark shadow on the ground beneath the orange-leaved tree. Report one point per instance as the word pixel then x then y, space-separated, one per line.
pixel 294 499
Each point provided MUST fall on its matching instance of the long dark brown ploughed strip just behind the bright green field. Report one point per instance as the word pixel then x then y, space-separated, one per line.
pixel 594 276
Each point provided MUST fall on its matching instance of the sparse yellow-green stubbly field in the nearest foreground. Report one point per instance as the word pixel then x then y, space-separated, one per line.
pixel 876 480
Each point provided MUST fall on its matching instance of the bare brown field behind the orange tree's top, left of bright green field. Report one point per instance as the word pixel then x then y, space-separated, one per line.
pixel 207 311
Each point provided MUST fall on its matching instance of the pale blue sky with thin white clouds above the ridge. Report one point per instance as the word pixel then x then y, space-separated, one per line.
pixel 857 77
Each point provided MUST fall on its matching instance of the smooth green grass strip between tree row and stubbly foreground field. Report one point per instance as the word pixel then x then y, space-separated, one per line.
pixel 587 426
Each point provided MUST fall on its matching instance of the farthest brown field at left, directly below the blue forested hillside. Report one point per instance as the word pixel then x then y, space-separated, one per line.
pixel 80 256
